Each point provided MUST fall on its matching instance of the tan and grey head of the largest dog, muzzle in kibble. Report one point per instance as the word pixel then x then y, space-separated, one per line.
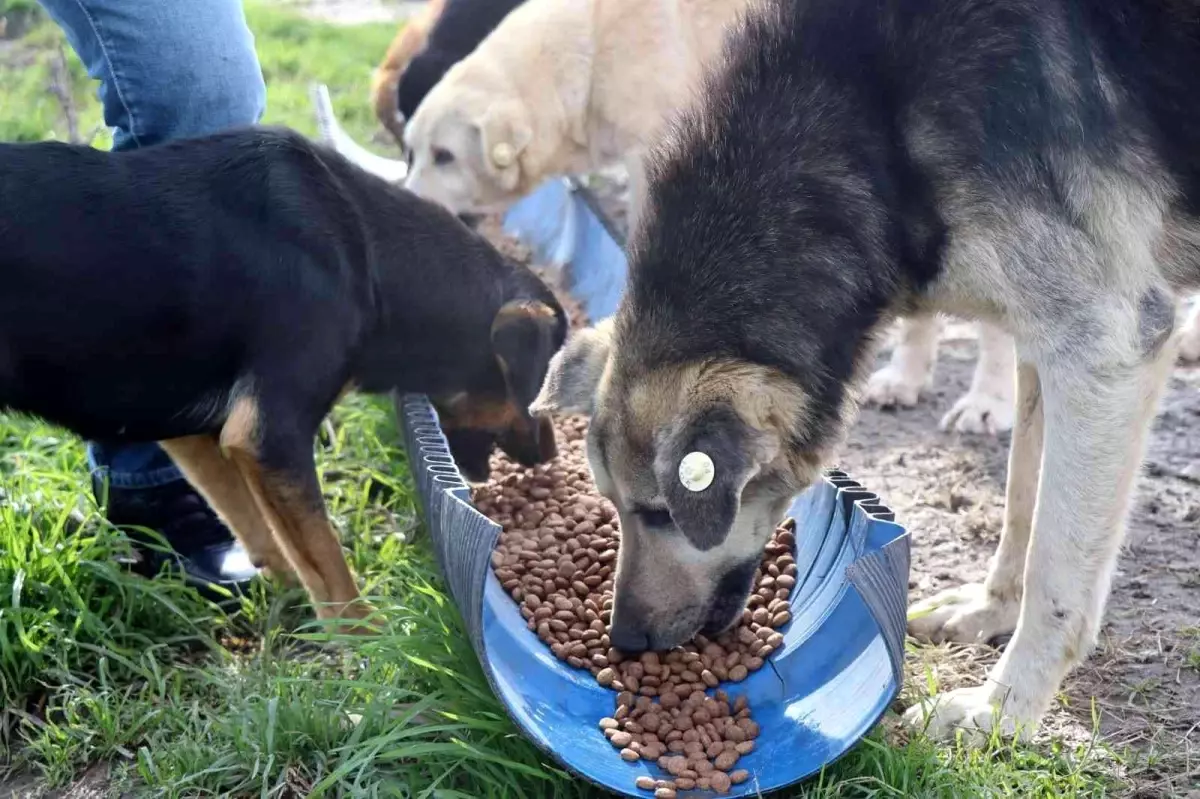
pixel 699 460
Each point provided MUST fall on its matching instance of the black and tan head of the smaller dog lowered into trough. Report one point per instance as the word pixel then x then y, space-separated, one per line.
pixel 525 335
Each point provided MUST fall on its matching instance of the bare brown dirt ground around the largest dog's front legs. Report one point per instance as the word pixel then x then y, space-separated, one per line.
pixel 949 490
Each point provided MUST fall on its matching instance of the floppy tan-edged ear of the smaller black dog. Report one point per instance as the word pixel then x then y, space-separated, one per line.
pixel 526 334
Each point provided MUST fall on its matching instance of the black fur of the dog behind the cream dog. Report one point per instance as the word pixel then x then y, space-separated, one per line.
pixel 463 26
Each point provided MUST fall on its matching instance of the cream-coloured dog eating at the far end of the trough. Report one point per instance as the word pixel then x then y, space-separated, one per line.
pixel 560 88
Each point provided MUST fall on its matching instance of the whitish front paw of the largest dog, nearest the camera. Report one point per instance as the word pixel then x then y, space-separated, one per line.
pixel 975 711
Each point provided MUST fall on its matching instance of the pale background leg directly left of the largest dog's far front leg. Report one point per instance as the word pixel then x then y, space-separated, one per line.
pixel 987 408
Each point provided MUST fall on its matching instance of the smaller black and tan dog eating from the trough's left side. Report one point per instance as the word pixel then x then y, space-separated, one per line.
pixel 220 295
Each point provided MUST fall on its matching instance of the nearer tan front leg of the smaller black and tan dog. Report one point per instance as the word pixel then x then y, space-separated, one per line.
pixel 278 466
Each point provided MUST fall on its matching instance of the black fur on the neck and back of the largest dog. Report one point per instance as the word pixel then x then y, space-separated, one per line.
pixel 797 208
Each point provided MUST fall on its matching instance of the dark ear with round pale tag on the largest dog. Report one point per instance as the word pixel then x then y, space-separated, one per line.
pixel 704 465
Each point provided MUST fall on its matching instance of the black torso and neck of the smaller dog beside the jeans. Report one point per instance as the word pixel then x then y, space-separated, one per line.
pixel 249 248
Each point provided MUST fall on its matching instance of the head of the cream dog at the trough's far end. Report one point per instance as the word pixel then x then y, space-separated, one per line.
pixel 466 141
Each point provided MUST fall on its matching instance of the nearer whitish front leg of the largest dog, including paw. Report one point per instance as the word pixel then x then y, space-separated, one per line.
pixel 1099 407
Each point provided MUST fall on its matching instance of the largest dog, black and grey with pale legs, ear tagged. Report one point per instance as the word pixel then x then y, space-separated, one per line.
pixel 1033 164
